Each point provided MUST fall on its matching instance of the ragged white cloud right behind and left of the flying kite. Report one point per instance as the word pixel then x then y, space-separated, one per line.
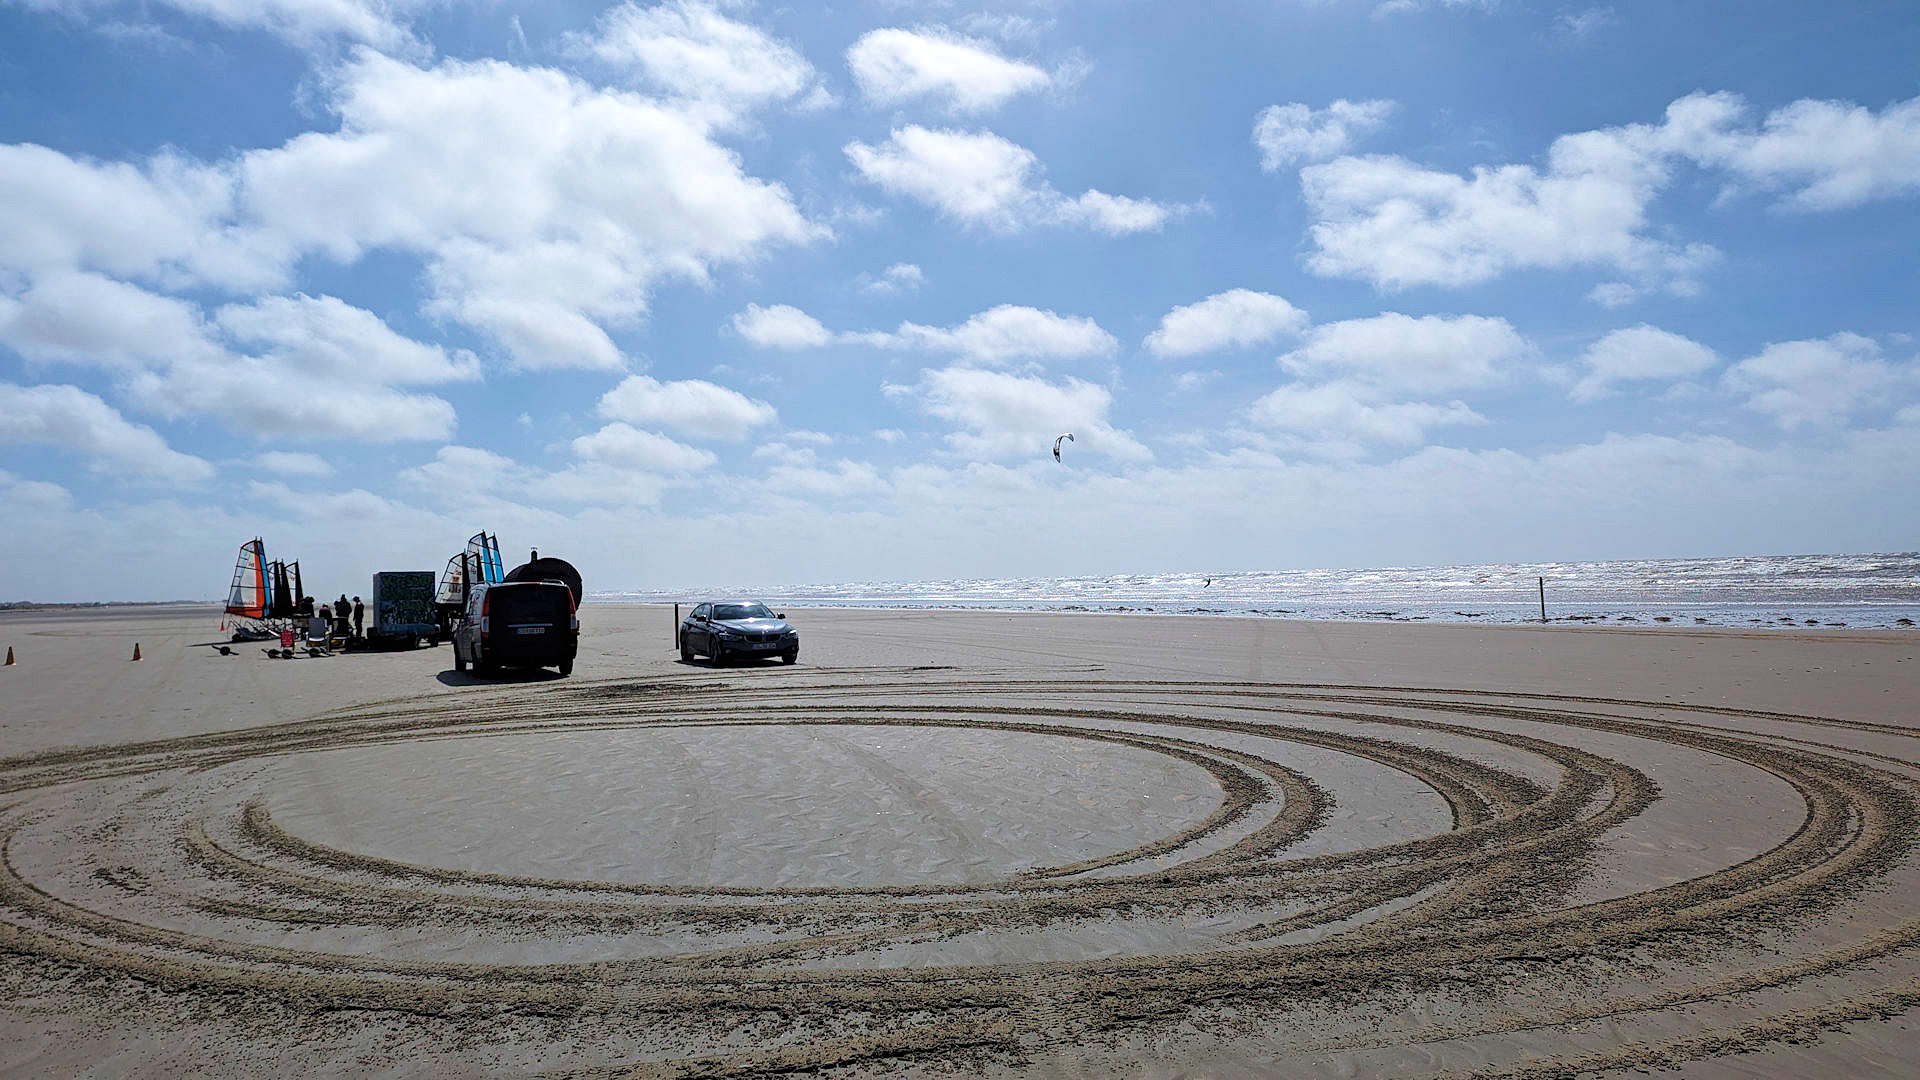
pixel 1011 416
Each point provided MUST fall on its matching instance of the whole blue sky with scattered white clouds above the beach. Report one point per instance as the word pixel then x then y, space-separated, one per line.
pixel 711 293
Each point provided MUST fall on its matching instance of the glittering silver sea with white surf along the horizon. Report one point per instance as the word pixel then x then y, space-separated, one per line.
pixel 1879 591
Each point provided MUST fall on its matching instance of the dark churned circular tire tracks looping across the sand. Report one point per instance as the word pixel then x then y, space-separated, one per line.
pixel 181 879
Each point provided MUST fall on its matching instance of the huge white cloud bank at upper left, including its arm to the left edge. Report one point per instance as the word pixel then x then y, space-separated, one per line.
pixel 546 210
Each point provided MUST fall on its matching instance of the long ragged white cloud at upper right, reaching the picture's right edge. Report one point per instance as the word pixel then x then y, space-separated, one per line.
pixel 1397 224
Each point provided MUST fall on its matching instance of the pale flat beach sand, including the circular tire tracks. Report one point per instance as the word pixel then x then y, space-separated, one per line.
pixel 969 845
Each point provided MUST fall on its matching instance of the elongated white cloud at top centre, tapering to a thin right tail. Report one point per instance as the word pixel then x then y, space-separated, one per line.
pixel 984 180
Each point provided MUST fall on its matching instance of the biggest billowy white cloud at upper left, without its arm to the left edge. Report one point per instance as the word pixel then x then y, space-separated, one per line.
pixel 546 209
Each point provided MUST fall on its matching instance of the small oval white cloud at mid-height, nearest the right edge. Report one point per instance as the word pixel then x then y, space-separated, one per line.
pixel 1815 381
